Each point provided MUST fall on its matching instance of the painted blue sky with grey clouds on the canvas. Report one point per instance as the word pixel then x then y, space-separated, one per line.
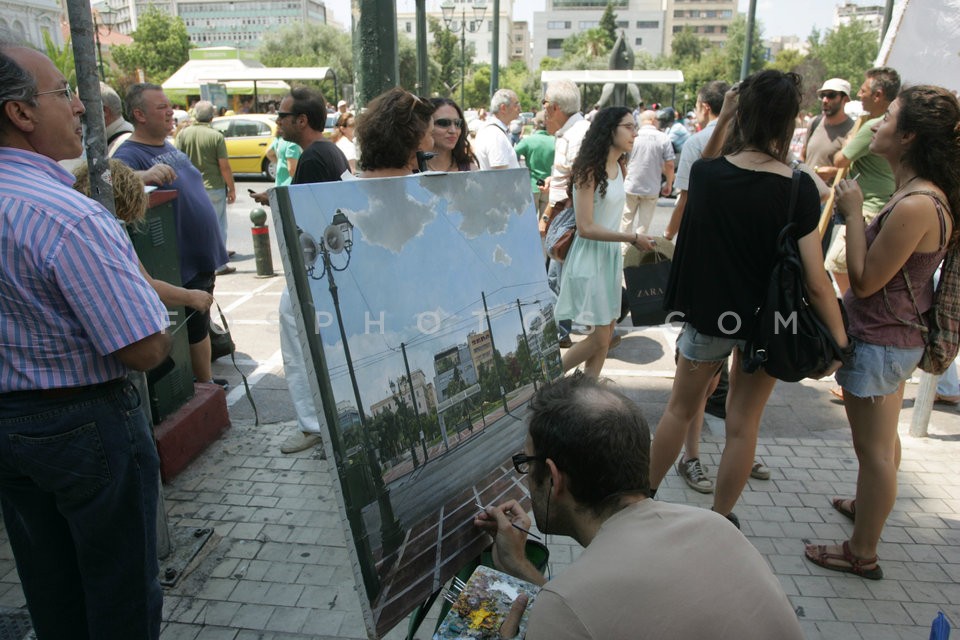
pixel 424 249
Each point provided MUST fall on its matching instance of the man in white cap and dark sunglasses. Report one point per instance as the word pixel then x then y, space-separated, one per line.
pixel 827 132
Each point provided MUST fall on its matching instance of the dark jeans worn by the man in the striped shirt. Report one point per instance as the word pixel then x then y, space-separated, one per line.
pixel 79 484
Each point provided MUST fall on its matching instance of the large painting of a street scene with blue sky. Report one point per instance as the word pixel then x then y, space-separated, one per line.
pixel 427 323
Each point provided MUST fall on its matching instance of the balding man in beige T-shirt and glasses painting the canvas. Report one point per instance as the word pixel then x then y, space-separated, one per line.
pixel 649 569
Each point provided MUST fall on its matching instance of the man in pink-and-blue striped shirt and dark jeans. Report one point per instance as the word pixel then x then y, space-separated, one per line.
pixel 78 466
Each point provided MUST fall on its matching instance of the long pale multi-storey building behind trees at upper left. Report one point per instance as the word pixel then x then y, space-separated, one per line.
pixel 235 23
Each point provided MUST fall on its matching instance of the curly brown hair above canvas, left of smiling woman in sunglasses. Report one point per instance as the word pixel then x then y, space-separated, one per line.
pixel 390 130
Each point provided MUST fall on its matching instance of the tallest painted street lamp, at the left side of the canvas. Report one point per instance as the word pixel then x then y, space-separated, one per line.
pixel 338 238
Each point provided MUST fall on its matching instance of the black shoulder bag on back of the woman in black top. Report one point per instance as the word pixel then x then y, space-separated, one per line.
pixel 788 340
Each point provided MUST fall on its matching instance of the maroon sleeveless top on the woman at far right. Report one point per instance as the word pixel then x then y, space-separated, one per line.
pixel 889 323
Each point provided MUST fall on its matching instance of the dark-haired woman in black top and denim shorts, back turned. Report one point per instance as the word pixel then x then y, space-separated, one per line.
pixel 737 204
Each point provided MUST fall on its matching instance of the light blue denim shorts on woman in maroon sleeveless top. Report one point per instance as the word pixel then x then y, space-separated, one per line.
pixel 875 370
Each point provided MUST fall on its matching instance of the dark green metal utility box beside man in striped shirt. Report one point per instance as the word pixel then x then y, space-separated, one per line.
pixel 155 241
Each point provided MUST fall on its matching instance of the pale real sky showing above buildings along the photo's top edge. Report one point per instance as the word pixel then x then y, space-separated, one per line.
pixel 779 17
